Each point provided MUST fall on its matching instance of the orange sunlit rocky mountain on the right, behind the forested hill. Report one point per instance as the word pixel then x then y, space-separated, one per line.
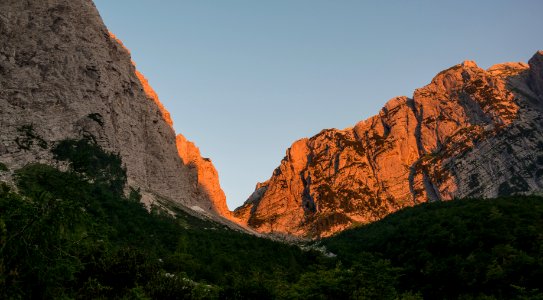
pixel 469 133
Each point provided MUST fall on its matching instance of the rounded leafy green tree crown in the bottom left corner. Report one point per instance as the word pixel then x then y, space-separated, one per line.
pixel 38 242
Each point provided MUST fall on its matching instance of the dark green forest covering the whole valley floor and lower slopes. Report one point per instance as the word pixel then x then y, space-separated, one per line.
pixel 75 234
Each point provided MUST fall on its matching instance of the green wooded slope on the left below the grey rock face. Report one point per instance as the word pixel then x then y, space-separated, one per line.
pixel 71 233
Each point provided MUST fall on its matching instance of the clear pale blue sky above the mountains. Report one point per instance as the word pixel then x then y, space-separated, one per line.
pixel 244 79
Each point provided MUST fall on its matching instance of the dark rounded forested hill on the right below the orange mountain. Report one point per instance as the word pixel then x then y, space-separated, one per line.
pixel 458 249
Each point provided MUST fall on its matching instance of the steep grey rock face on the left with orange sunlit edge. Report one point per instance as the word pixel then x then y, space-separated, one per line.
pixel 63 75
